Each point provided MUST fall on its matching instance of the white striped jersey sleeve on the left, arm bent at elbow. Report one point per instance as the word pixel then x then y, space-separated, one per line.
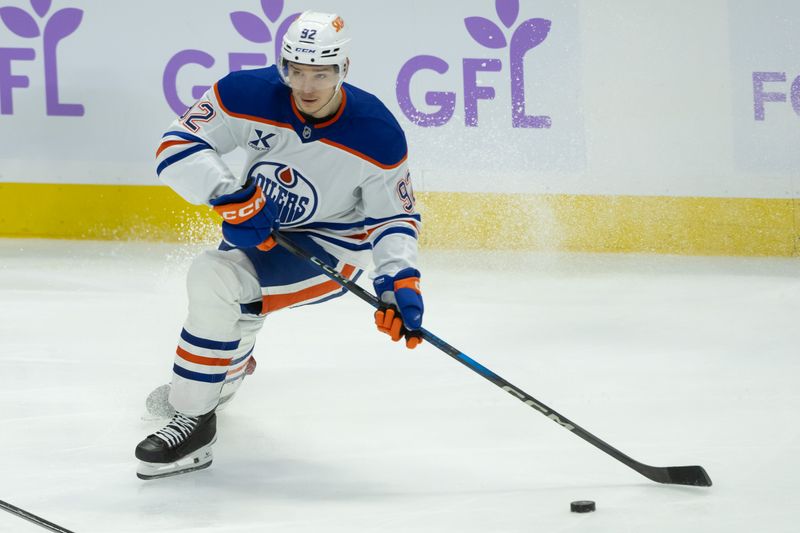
pixel 189 156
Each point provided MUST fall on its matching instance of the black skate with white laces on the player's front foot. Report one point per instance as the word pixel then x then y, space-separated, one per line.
pixel 183 445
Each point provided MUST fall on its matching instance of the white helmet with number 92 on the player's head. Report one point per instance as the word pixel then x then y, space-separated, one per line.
pixel 316 39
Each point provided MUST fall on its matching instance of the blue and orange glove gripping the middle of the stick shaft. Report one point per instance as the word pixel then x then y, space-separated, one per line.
pixel 400 311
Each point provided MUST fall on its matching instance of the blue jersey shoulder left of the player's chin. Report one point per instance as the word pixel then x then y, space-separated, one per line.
pixel 252 93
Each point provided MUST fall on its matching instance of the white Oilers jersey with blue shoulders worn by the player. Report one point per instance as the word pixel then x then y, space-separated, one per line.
pixel 344 182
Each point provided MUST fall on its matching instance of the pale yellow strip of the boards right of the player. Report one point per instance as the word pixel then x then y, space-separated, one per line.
pixel 584 223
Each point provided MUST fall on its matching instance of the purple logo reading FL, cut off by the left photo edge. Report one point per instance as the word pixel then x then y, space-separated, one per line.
pixel 56 28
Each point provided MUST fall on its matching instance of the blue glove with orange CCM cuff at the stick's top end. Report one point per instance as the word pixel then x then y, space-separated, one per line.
pixel 248 217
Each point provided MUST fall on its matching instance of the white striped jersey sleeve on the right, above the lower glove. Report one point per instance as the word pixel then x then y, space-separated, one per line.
pixel 391 220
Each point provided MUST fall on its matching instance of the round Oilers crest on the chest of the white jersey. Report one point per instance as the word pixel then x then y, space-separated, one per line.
pixel 294 195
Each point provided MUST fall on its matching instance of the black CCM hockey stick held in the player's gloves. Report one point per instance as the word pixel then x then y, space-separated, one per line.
pixel 676 475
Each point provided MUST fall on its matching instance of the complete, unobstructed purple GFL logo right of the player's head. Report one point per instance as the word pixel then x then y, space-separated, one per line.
pixel 525 37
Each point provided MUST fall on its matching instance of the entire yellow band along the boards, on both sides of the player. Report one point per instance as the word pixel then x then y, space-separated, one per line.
pixel 583 223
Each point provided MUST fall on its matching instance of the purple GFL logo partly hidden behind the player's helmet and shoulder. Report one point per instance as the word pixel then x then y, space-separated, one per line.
pixel 248 25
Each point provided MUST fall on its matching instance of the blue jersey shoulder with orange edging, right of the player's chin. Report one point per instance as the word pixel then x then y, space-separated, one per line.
pixel 372 130
